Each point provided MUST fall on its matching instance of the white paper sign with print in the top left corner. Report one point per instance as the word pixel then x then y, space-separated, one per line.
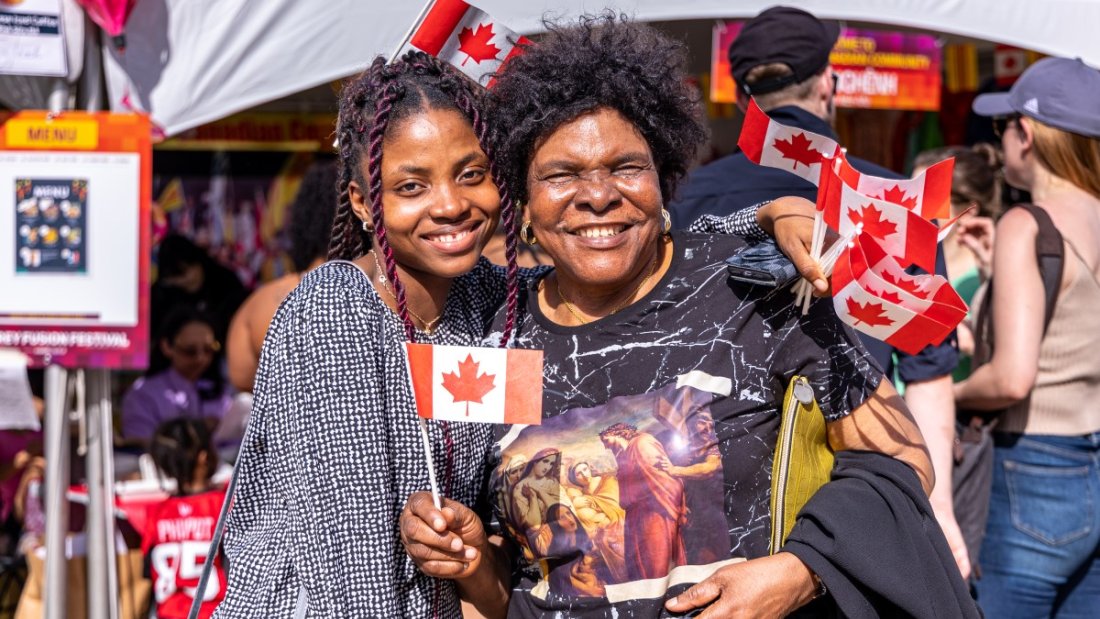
pixel 32 38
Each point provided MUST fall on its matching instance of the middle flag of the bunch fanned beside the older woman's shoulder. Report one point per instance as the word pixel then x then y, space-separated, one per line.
pixel 903 234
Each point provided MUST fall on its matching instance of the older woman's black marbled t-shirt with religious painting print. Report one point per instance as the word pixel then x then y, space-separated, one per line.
pixel 652 468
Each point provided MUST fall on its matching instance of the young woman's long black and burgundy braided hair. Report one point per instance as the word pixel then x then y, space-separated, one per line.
pixel 370 105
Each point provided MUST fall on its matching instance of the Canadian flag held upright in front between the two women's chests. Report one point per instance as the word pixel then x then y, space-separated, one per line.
pixel 475 384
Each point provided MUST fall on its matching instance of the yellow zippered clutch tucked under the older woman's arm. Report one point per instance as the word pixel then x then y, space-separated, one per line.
pixel 804 460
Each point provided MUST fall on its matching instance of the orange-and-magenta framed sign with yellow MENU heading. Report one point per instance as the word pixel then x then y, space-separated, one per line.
pixel 74 209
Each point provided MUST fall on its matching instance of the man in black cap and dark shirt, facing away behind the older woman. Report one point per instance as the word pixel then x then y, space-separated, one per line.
pixel 782 59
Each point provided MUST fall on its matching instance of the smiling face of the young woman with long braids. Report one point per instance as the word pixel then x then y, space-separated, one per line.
pixel 439 204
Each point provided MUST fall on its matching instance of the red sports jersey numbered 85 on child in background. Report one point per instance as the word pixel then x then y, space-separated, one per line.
pixel 178 537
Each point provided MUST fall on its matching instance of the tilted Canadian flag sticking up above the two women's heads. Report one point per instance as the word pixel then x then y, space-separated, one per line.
pixel 467 38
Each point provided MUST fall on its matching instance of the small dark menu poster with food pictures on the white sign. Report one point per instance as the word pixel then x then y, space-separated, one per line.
pixel 51 226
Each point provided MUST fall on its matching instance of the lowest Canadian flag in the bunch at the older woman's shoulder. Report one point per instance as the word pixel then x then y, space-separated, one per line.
pixel 875 307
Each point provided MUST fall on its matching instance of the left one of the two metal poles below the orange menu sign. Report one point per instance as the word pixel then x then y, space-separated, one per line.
pixel 58 480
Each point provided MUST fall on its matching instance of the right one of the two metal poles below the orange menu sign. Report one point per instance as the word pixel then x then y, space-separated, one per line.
pixel 103 570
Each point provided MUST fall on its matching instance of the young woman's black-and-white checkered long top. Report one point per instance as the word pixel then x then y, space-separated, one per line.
pixel 334 451
